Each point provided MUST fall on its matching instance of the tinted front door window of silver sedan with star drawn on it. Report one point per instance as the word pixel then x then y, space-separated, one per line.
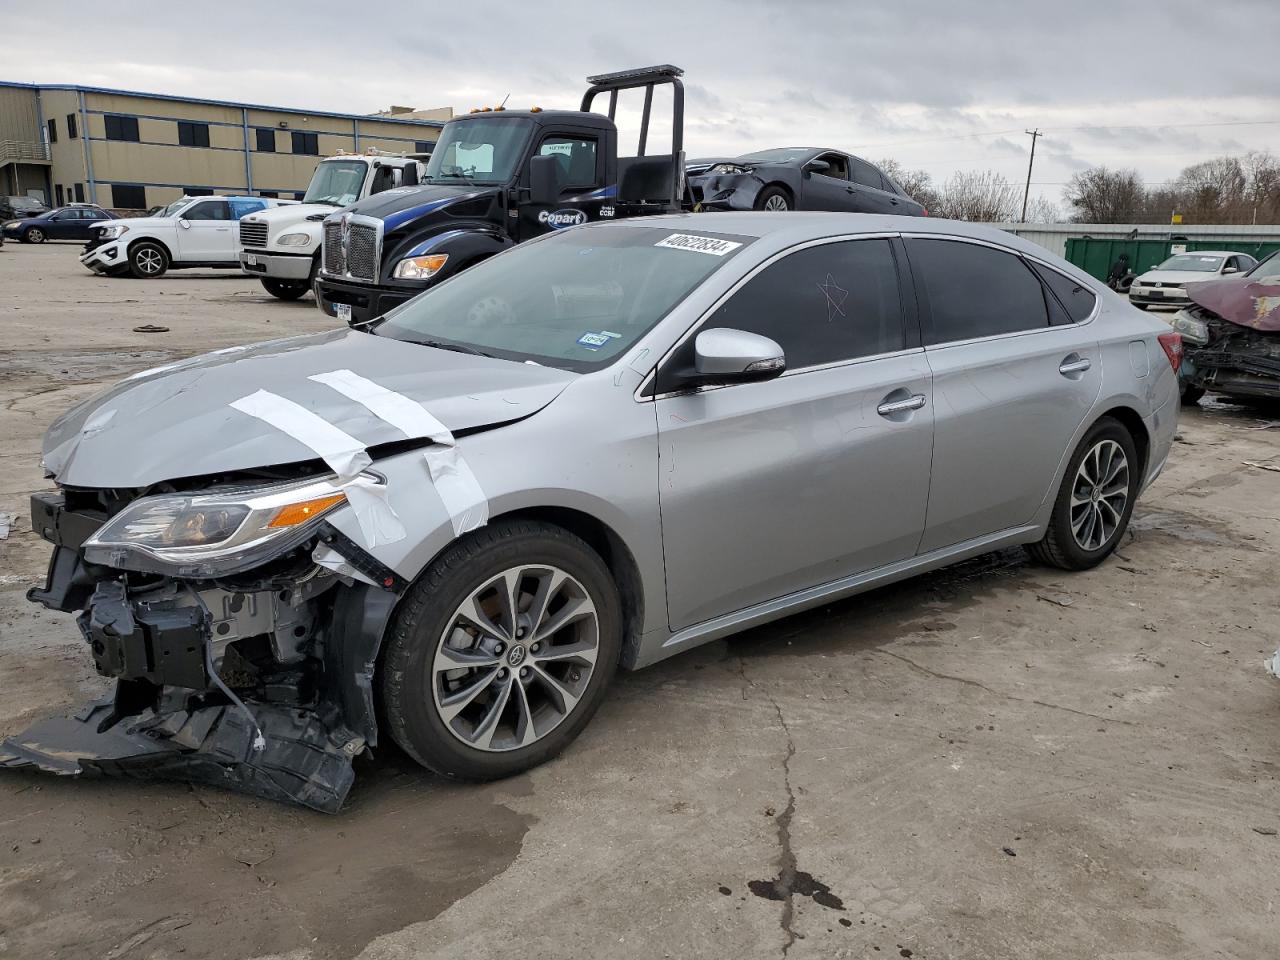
pixel 824 305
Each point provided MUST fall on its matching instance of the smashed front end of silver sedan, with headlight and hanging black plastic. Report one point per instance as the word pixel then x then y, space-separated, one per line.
pixel 241 630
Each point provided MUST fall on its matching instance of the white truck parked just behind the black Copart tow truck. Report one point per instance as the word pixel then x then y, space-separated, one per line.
pixel 282 248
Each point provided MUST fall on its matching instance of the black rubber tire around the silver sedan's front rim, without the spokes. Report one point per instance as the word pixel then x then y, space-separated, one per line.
pixel 418 632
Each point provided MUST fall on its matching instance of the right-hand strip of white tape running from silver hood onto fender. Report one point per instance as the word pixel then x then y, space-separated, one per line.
pixel 455 482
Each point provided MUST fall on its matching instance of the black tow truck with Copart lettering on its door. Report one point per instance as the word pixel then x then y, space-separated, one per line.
pixel 500 177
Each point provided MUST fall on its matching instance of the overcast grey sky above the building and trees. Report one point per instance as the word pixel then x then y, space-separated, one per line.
pixel 943 85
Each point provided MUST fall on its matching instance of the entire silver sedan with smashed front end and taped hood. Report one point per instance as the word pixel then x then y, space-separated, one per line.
pixel 601 449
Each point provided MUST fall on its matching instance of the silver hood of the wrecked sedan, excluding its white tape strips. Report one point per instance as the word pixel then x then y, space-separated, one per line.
pixel 176 422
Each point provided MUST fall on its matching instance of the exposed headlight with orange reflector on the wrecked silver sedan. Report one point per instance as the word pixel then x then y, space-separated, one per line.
pixel 213 534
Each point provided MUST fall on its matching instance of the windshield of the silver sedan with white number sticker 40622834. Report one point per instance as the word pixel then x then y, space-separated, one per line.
pixel 575 300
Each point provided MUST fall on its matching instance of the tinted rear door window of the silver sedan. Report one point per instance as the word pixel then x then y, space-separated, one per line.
pixel 975 291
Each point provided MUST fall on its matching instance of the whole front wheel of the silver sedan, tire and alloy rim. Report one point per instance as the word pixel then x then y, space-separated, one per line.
pixel 502 652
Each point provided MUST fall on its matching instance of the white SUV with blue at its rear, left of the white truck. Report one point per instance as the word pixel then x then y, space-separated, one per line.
pixel 190 232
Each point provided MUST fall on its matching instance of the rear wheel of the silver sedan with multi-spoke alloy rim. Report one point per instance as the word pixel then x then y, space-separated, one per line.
pixel 1095 502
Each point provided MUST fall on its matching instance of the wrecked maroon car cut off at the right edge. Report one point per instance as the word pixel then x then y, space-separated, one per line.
pixel 1232 336
